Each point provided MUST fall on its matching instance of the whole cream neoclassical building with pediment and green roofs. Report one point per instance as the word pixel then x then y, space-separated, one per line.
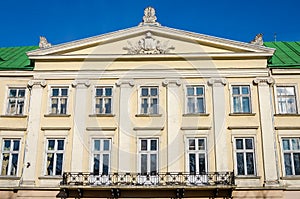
pixel 151 112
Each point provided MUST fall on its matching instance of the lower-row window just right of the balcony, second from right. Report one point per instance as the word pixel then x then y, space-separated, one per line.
pixel 244 154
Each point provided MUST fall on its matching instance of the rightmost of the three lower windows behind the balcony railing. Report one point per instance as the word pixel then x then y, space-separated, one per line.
pixel 196 151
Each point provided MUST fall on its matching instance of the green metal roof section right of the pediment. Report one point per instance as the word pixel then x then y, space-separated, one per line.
pixel 287 54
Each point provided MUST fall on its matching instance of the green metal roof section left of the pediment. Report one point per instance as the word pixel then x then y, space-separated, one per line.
pixel 15 58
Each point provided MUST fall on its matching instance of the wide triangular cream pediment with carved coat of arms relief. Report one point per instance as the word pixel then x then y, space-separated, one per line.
pixel 150 41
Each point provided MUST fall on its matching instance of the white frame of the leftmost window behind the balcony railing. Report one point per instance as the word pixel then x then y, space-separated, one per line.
pixel 101 152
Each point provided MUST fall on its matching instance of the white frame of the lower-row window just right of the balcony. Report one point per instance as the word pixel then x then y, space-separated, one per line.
pixel 244 151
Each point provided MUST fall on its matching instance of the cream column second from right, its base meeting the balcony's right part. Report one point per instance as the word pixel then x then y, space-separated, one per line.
pixel 219 124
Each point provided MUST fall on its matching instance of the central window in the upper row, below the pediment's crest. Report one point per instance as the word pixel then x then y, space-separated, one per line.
pixel 149 100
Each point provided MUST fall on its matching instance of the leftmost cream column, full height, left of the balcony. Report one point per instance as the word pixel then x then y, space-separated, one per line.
pixel 33 130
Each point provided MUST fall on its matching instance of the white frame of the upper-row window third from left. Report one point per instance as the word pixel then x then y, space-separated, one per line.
pixel 94 110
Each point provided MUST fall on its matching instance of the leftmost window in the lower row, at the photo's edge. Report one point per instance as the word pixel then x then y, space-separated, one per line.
pixel 10 157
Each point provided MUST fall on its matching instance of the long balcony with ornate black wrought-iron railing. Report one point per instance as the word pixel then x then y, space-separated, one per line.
pixel 147 185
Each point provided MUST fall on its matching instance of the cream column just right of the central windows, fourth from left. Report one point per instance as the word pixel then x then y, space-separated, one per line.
pixel 173 115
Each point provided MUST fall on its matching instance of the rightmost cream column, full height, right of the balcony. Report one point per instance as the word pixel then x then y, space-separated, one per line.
pixel 267 130
